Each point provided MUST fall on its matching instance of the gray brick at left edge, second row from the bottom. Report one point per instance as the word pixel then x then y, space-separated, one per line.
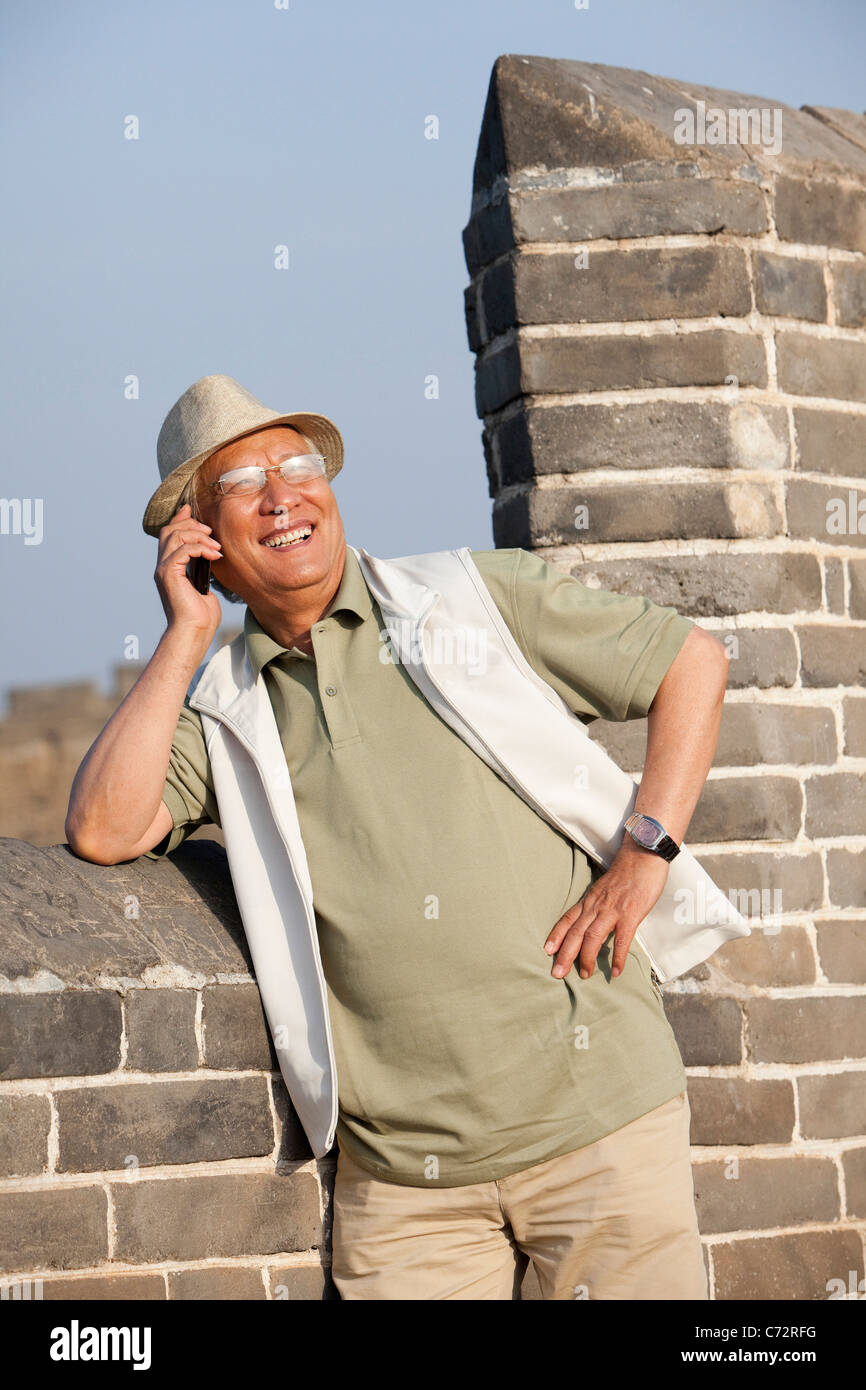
pixel 54 1229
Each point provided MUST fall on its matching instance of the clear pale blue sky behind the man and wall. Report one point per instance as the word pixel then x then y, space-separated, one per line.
pixel 155 256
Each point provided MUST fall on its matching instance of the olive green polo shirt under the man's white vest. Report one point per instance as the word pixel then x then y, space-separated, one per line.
pixel 461 1058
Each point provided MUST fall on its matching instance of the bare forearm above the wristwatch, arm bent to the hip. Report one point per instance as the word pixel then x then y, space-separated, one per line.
pixel 683 732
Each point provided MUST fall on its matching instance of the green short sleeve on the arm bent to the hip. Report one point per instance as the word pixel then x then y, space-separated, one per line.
pixel 605 654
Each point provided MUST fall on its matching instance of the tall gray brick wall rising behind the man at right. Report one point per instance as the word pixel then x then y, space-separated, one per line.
pixel 671 366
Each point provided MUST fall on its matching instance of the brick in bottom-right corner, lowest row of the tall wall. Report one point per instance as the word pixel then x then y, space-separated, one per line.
pixel 786 1268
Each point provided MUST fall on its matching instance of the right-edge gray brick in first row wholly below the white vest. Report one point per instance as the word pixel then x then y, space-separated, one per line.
pixel 818 1029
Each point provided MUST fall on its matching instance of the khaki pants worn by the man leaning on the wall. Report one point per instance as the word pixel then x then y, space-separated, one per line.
pixel 615 1220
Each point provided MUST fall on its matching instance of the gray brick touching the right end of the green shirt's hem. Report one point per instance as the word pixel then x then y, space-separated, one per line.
pixel 729 1110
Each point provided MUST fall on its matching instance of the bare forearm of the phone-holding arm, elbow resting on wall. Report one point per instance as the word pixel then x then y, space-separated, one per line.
pixel 119 787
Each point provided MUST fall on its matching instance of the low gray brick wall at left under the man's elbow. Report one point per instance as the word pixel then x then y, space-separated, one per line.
pixel 148 1146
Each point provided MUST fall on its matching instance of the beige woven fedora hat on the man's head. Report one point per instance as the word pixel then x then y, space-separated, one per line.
pixel 215 412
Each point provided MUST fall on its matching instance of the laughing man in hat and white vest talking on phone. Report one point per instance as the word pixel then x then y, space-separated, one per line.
pixel 509 1086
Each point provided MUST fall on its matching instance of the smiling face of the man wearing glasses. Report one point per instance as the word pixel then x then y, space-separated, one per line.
pixel 250 568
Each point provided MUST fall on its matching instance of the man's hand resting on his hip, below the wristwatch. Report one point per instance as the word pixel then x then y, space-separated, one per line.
pixel 618 901
